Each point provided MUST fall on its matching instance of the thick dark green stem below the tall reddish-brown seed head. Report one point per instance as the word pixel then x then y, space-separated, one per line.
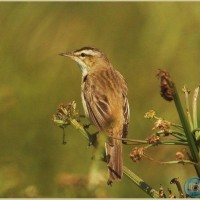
pixel 188 133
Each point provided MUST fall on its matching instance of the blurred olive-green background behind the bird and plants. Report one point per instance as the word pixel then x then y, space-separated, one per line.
pixel 138 38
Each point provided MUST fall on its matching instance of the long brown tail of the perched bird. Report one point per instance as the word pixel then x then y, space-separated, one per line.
pixel 114 159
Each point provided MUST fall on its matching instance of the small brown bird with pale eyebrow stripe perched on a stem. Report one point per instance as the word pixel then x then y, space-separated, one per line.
pixel 104 98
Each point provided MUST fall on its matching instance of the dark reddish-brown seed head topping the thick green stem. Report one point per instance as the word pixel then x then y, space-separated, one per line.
pixel 166 90
